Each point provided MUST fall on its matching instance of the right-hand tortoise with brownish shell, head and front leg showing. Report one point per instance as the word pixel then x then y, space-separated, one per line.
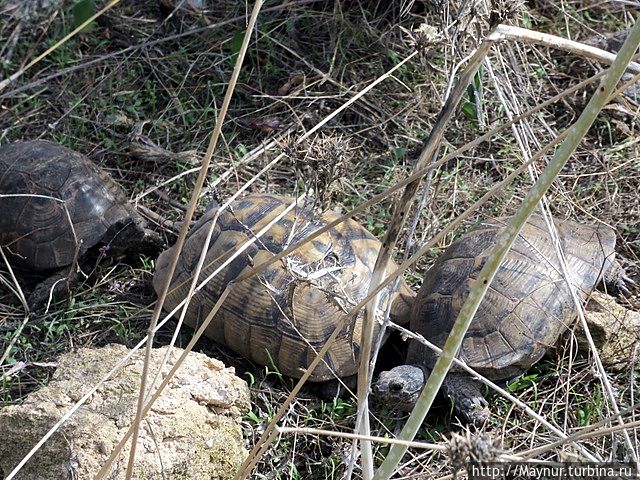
pixel 527 308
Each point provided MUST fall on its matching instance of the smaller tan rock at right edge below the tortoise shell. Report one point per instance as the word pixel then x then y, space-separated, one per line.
pixel 615 330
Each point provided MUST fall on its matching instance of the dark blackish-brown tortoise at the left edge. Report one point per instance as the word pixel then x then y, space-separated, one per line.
pixel 56 206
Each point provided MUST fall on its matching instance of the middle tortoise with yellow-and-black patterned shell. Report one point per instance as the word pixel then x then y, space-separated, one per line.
pixel 281 316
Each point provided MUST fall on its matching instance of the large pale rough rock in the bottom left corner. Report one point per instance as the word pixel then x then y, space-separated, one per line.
pixel 191 432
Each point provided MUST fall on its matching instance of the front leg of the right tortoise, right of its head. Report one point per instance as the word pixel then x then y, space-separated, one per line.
pixel 467 397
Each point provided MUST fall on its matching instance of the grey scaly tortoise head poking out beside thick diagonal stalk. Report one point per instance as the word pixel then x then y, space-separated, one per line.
pixel 401 386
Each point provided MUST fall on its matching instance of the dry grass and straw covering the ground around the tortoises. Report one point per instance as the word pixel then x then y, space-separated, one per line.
pixel 140 95
